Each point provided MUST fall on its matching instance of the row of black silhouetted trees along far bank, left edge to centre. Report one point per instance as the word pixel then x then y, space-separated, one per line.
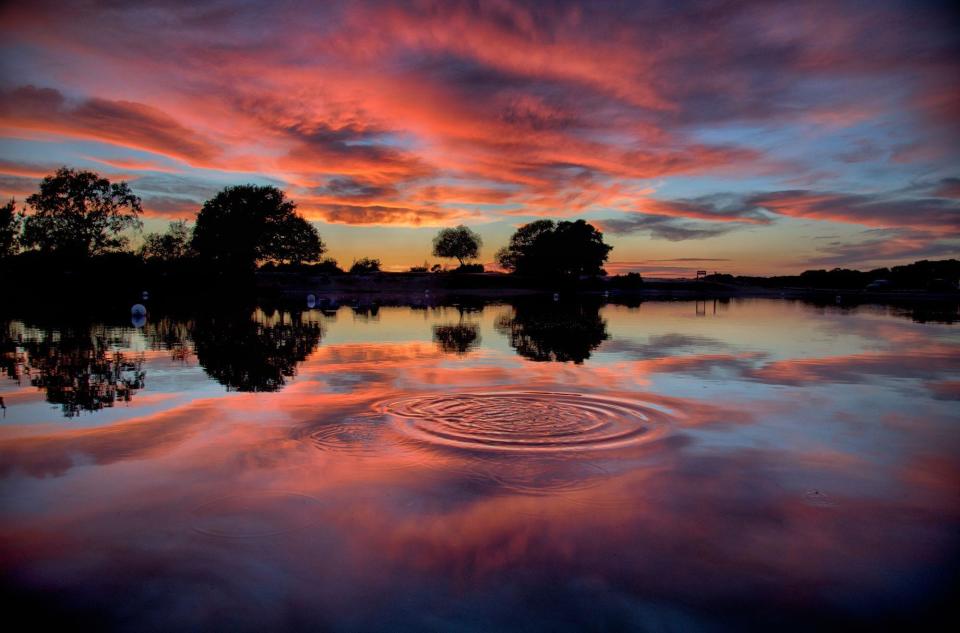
pixel 79 226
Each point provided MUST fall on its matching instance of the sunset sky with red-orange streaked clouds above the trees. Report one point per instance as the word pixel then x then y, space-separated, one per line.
pixel 742 137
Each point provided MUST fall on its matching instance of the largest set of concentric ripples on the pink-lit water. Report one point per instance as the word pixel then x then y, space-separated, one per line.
pixel 527 421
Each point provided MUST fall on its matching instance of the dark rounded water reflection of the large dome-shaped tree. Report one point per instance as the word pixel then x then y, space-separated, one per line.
pixel 253 354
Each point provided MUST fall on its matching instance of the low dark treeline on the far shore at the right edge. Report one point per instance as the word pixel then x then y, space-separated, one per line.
pixel 939 275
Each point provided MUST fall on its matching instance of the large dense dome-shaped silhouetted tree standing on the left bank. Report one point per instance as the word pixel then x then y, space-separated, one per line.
pixel 246 225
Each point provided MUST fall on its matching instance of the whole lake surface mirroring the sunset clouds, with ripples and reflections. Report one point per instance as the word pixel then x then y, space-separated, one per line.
pixel 536 467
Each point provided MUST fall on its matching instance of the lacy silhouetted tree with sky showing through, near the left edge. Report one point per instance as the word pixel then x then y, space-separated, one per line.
pixel 78 213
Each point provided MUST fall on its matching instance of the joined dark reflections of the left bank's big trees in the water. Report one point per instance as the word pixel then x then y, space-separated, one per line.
pixel 91 367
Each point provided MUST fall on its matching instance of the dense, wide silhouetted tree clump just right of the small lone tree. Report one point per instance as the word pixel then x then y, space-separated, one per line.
pixel 555 249
